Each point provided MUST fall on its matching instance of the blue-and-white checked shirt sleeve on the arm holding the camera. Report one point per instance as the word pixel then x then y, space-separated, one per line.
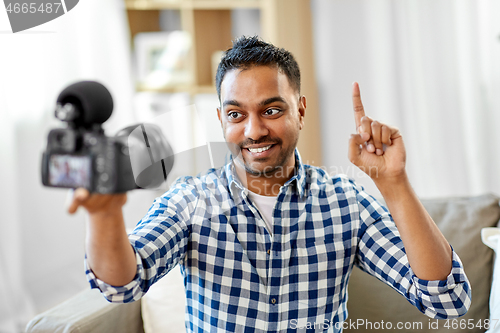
pixel 159 241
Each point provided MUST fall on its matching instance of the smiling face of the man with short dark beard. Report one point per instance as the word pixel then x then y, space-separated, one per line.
pixel 261 116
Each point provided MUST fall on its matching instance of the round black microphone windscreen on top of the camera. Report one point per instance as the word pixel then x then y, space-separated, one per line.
pixel 93 100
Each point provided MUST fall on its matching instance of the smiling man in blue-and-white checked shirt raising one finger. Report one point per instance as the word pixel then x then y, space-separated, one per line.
pixel 266 243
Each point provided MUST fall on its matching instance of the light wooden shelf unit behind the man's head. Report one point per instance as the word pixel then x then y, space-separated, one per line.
pixel 285 23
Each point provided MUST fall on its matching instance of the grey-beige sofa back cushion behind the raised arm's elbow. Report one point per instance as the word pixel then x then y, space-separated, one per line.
pixel 461 221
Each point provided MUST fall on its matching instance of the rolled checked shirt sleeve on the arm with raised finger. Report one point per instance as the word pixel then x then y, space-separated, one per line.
pixel 381 253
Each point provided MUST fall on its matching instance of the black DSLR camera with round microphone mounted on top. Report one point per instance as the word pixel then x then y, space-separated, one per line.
pixel 81 155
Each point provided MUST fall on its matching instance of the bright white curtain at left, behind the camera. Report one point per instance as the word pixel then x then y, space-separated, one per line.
pixel 41 247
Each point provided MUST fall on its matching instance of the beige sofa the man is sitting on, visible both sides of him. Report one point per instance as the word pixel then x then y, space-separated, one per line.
pixel 372 305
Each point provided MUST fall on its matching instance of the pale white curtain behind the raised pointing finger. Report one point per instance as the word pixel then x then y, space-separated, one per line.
pixel 430 68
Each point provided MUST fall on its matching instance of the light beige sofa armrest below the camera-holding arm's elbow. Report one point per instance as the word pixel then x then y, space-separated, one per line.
pixel 89 312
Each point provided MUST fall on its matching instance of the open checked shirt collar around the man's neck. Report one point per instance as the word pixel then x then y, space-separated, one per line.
pixel 298 180
